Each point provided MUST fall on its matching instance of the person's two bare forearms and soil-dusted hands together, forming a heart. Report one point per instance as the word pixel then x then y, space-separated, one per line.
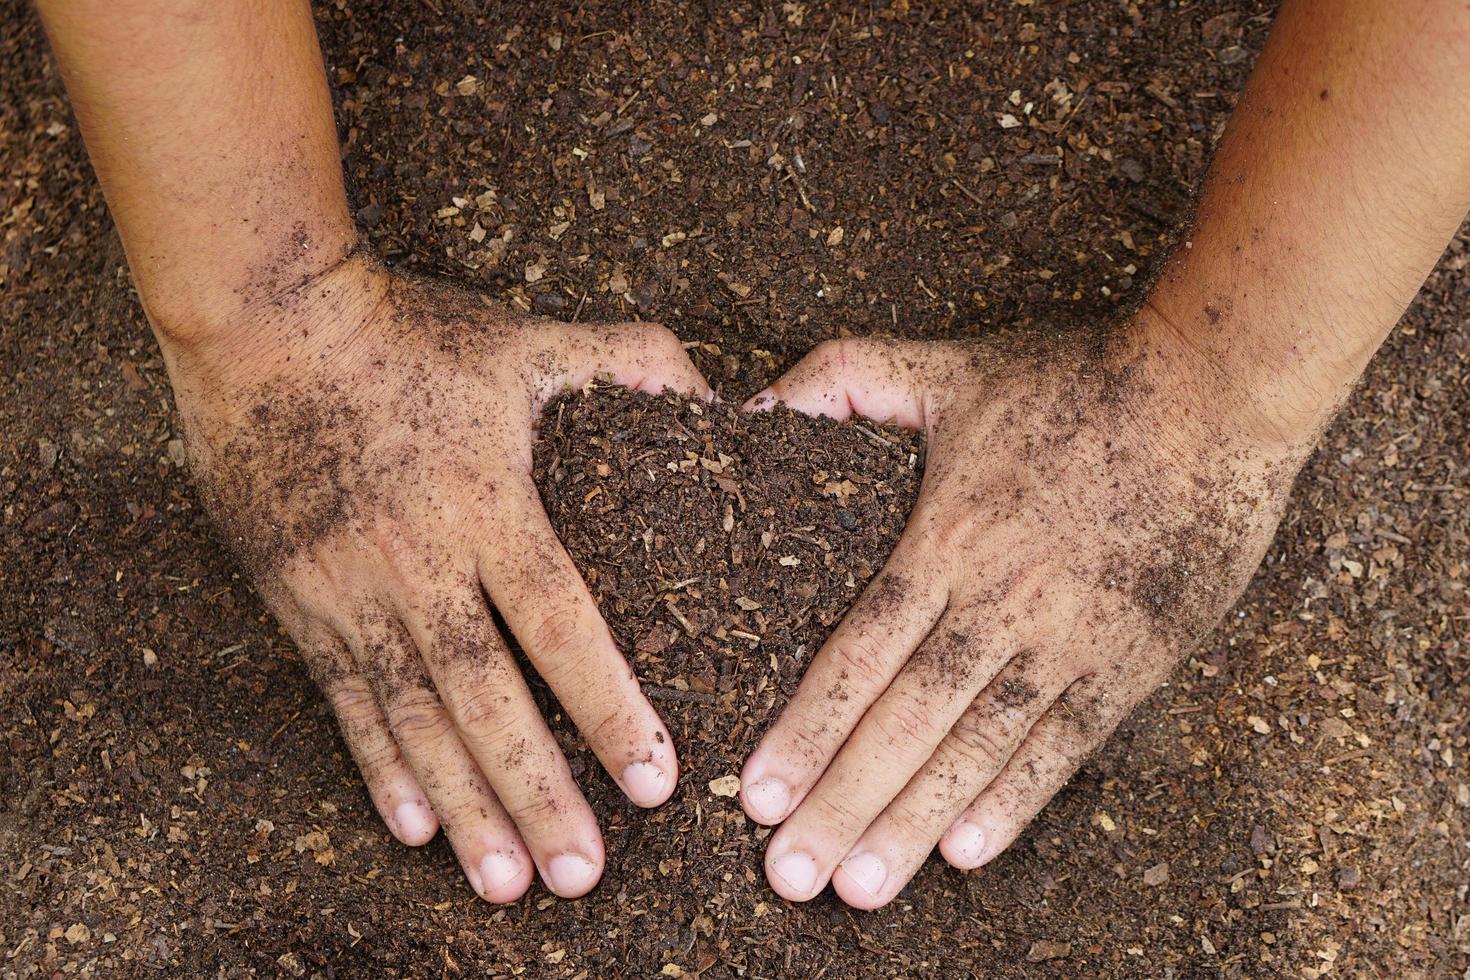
pixel 1090 506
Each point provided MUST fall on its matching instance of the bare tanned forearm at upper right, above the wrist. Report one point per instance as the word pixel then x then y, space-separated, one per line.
pixel 1340 180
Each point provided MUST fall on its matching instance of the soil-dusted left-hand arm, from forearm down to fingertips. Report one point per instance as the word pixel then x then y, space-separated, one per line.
pixel 365 442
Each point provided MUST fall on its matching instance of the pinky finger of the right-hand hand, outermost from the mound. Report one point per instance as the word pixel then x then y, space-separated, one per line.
pixel 1053 752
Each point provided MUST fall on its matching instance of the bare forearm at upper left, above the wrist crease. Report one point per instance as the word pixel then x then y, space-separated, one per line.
pixel 211 129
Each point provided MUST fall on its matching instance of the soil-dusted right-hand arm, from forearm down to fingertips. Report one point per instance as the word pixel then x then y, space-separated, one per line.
pixel 1090 508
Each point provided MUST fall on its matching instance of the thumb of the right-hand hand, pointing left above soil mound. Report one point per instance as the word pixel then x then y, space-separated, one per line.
pixel 880 380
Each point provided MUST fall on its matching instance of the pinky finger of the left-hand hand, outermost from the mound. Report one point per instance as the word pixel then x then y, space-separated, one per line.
pixel 392 785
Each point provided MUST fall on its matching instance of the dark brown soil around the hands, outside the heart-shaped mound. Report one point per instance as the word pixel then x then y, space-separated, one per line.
pixel 174 797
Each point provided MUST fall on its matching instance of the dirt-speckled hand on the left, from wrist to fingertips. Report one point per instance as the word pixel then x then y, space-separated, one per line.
pixel 365 446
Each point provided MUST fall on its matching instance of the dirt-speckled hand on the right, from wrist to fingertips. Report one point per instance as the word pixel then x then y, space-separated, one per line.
pixel 1087 512
